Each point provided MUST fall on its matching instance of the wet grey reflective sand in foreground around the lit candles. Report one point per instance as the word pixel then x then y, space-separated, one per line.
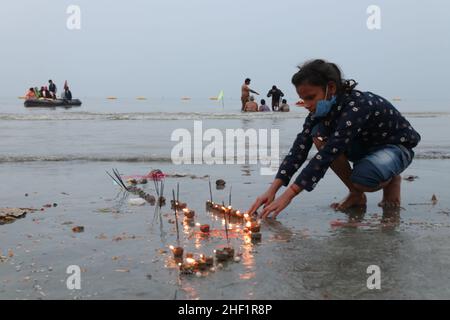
pixel 301 256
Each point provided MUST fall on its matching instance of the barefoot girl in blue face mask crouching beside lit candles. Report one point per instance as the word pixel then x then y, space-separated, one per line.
pixel 345 125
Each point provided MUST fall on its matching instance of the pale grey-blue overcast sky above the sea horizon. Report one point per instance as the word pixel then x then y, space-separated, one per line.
pixel 194 48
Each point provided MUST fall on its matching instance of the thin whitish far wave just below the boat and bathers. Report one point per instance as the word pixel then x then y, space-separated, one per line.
pixel 72 116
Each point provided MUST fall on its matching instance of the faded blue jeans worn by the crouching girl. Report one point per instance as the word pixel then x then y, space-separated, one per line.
pixel 375 165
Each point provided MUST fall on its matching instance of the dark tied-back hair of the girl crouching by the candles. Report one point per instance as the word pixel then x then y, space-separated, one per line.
pixel 319 73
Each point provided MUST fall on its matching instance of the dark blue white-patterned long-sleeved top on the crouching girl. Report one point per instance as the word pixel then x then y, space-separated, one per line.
pixel 361 117
